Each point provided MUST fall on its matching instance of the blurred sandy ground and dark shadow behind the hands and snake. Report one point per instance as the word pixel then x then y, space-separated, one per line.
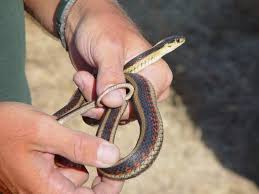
pixel 212 115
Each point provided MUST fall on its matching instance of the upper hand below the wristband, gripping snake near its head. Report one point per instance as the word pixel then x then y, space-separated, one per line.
pixel 100 36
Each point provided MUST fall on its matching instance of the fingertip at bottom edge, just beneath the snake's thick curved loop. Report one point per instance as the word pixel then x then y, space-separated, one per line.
pixel 102 185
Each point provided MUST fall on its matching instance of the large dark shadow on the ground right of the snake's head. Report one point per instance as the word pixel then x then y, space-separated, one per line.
pixel 216 72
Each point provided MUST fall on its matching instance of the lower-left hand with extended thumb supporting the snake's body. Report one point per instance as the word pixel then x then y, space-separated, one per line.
pixel 28 143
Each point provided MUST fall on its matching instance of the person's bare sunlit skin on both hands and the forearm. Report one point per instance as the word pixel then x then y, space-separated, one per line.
pixel 99 36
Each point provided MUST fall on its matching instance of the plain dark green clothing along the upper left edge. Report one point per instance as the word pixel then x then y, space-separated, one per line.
pixel 13 83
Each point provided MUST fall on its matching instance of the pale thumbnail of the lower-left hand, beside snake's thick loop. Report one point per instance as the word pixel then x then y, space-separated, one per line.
pixel 107 154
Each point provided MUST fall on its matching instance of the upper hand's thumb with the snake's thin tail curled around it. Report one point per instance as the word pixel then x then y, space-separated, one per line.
pixel 110 72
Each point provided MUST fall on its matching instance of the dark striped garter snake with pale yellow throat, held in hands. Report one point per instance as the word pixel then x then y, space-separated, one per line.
pixel 145 107
